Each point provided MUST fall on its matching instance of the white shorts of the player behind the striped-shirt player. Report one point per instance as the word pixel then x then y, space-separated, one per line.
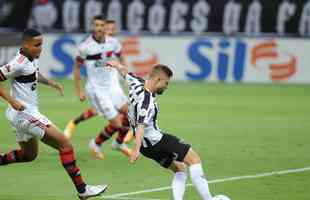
pixel 107 103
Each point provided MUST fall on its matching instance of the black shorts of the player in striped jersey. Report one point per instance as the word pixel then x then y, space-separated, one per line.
pixel 168 149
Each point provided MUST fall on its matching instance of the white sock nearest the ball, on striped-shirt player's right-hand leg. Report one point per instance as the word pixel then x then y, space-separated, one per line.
pixel 199 181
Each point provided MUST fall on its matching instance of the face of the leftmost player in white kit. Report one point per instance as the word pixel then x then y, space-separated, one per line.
pixel 34 46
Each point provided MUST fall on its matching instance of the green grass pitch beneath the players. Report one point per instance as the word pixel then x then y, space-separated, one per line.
pixel 237 129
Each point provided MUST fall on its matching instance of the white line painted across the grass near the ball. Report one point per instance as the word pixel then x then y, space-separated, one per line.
pixel 234 178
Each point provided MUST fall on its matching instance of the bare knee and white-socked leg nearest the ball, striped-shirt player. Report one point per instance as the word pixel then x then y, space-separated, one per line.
pixel 200 182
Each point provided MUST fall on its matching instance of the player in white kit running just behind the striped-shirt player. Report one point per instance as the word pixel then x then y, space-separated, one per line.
pixel 102 88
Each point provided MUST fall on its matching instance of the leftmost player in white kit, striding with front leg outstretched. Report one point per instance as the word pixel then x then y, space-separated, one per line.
pixel 24 116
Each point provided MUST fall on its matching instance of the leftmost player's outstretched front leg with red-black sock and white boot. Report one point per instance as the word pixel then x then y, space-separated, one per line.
pixel 55 139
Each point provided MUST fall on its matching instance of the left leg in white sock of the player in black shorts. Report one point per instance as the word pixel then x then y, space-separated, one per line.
pixel 179 180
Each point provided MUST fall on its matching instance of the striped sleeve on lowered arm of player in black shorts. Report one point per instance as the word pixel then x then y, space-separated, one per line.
pixel 144 109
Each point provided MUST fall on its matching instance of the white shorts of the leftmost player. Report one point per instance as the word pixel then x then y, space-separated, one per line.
pixel 28 124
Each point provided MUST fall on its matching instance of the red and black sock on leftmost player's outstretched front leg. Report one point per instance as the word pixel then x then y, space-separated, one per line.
pixel 69 163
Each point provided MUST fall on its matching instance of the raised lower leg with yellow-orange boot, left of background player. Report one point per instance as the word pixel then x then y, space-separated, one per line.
pixel 71 126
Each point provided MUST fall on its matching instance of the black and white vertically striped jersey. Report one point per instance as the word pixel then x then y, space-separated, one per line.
pixel 143 109
